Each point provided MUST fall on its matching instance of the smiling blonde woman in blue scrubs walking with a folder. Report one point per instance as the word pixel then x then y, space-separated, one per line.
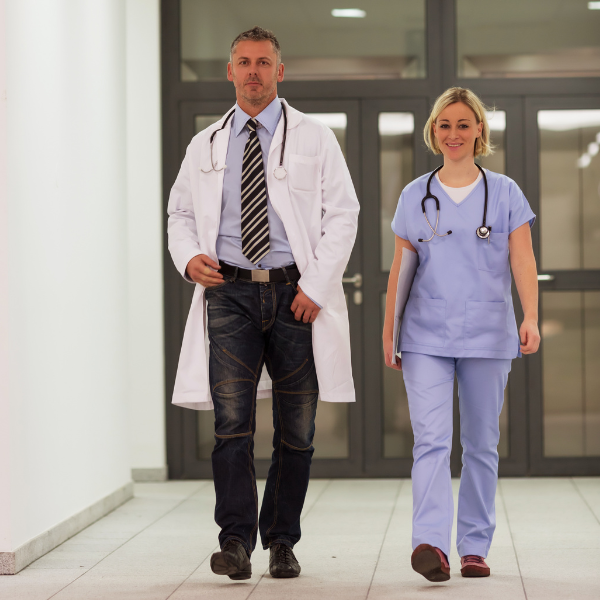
pixel 459 320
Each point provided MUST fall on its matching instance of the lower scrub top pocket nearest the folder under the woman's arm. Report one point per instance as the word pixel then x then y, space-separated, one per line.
pixel 424 322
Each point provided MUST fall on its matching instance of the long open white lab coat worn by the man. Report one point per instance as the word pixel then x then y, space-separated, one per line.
pixel 319 210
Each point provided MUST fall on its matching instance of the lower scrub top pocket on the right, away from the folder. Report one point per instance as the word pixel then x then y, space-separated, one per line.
pixel 486 326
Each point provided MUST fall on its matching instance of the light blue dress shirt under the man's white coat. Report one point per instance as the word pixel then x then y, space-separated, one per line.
pixel 229 240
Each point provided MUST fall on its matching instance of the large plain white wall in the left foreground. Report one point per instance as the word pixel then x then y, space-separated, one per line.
pixel 66 285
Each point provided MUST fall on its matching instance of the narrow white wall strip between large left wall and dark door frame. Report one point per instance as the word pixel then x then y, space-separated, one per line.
pixel 145 223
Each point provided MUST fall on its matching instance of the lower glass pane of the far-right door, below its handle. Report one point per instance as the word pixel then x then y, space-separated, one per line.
pixel 571 382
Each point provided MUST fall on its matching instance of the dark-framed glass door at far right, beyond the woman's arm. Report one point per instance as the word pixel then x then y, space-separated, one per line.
pixel 564 142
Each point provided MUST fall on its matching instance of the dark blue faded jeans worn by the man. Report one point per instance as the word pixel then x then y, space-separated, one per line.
pixel 250 324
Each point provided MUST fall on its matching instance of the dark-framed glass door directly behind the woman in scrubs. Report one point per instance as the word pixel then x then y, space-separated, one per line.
pixel 393 155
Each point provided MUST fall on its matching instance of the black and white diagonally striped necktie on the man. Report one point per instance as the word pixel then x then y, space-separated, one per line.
pixel 255 224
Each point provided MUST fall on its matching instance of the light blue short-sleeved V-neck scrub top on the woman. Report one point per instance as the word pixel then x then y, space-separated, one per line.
pixel 460 303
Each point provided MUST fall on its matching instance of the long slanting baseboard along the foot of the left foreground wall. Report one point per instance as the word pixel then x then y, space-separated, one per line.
pixel 13 562
